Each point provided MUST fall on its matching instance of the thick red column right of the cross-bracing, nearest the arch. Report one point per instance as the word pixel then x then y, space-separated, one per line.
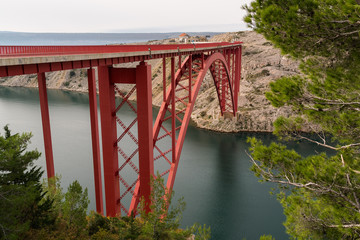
pixel 145 130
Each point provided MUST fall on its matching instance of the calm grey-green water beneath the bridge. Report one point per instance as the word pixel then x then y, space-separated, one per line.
pixel 213 175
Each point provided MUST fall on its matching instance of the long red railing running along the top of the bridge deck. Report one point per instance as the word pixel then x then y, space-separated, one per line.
pixel 18 51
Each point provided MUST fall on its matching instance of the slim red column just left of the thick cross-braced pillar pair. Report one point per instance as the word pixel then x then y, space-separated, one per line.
pixel 95 140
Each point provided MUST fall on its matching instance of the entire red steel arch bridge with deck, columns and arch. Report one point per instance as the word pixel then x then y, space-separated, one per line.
pixel 127 172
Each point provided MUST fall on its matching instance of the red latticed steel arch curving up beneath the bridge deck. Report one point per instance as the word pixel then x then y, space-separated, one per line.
pixel 182 115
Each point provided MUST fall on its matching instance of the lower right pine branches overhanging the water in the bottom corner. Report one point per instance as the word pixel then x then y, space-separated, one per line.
pixel 320 193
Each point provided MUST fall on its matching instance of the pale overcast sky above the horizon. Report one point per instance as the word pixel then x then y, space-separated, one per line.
pixel 105 16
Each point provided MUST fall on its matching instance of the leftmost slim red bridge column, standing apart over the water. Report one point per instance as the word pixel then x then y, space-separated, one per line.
pixel 46 125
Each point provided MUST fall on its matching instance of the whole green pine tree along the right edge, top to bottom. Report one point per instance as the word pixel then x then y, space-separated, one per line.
pixel 320 193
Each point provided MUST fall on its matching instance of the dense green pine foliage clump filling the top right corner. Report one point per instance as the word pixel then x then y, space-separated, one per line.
pixel 328 28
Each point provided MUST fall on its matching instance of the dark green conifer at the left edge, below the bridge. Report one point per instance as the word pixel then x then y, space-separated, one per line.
pixel 21 198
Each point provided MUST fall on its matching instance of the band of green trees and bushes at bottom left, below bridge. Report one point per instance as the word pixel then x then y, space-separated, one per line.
pixel 30 209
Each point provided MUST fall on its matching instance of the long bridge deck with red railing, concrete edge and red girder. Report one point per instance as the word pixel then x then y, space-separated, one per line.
pixel 18 60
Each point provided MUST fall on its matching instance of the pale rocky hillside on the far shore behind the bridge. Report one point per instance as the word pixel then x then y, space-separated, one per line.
pixel 261 64
